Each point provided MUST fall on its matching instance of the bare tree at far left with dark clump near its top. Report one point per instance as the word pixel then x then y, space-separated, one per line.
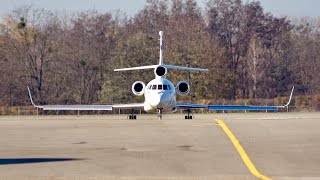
pixel 30 45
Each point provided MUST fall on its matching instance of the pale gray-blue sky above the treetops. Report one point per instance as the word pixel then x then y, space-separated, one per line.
pixel 130 7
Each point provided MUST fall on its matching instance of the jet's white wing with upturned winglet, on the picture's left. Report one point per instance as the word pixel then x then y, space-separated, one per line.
pixel 86 107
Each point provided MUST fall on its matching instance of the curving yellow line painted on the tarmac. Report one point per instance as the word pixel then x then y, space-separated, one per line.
pixel 241 151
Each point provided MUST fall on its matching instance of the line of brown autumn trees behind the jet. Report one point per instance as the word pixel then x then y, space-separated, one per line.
pixel 69 58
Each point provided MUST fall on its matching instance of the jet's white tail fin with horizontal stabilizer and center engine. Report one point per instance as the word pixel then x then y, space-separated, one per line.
pixel 161 68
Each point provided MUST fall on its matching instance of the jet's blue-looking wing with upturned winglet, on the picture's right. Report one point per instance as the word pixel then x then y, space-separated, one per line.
pixel 234 107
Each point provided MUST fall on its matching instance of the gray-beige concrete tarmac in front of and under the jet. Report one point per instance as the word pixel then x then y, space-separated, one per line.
pixel 280 145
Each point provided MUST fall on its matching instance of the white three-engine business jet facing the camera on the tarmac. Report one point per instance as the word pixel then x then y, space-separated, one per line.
pixel 160 94
